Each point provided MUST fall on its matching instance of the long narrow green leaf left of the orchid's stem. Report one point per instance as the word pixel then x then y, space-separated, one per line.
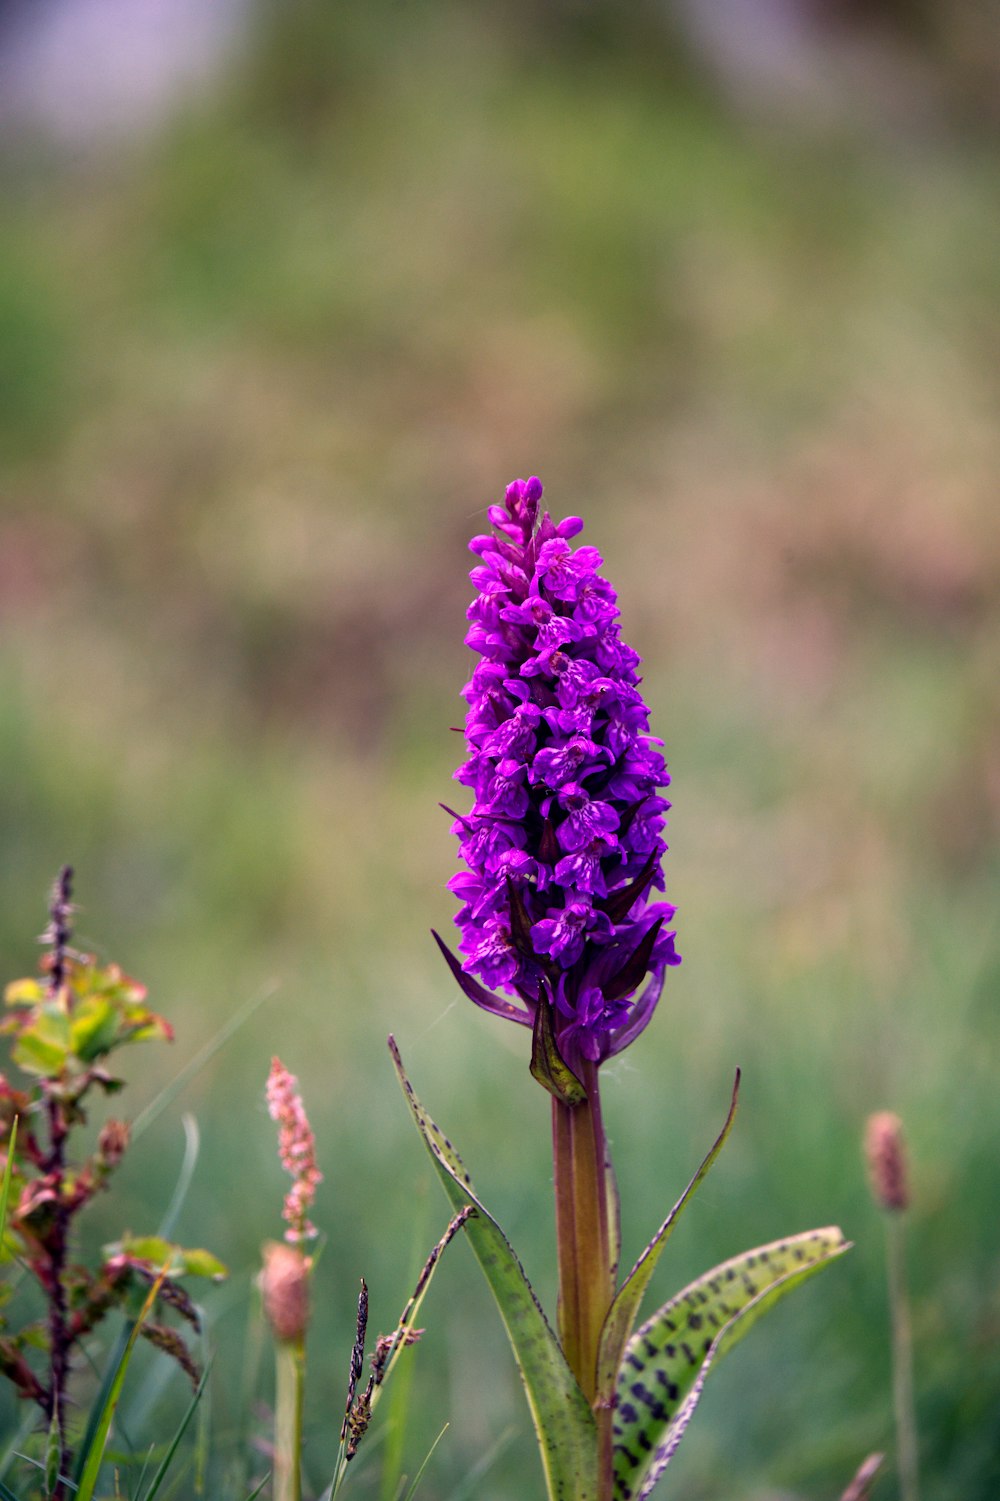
pixel 562 1418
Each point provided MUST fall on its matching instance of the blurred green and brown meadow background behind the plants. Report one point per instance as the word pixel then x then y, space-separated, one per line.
pixel 265 358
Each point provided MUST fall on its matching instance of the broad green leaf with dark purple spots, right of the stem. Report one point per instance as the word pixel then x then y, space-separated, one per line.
pixel 669 1358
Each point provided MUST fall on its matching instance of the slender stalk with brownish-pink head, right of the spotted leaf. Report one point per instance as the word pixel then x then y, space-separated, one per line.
pixel 891 1191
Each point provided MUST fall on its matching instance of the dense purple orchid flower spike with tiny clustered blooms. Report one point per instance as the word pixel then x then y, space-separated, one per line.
pixel 565 835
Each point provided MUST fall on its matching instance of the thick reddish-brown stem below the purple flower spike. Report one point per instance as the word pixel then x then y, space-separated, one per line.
pixel 583 1235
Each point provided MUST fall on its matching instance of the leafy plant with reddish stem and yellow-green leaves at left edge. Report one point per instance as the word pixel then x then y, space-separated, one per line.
pixel 65 1026
